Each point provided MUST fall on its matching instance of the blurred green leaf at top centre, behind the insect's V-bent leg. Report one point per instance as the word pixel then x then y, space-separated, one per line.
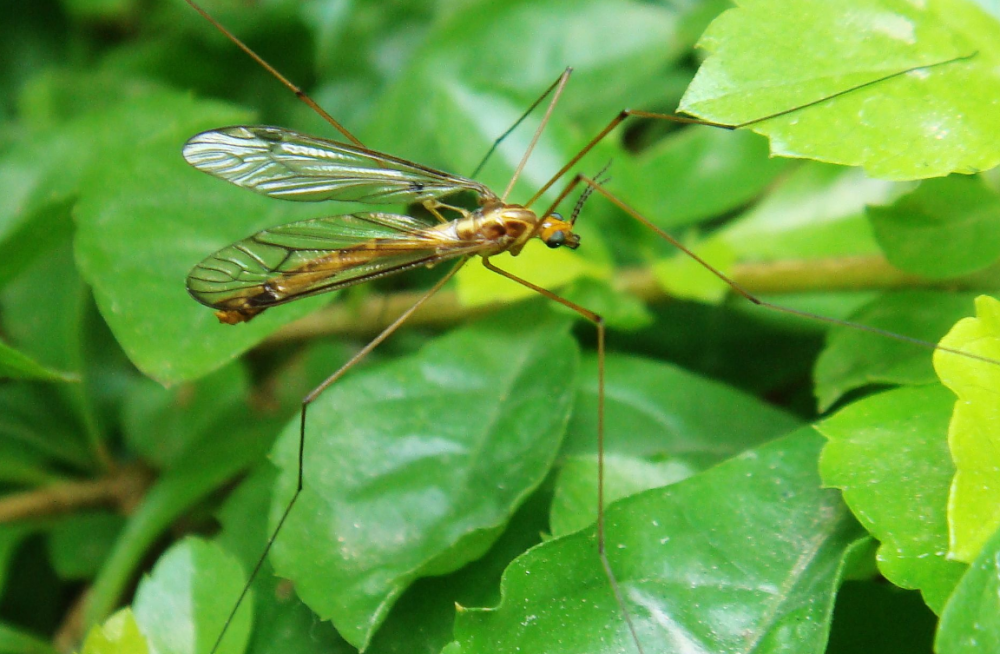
pixel 633 44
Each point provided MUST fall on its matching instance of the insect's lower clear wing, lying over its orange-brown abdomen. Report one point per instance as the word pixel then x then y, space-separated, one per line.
pixel 305 258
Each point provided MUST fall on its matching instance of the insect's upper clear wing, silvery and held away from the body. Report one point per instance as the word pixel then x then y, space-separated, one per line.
pixel 285 164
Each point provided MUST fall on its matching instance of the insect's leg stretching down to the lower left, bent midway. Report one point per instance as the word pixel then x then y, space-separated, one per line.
pixel 306 401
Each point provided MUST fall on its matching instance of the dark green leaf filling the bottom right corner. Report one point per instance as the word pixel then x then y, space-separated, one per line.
pixel 968 624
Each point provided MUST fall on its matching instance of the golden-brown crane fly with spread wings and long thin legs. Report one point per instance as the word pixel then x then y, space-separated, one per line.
pixel 301 259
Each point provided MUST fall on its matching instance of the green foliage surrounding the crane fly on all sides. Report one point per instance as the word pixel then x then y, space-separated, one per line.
pixel 131 421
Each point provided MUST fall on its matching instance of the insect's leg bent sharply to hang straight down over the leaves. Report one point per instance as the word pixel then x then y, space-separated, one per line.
pixel 599 324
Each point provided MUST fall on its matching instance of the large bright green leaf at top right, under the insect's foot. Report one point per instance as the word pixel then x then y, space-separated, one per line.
pixel 769 57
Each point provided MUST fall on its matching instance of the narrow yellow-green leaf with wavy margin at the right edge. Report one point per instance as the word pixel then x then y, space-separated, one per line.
pixel 975 492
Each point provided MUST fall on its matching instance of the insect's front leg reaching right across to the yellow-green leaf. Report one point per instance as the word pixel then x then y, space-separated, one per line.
pixel 583 179
